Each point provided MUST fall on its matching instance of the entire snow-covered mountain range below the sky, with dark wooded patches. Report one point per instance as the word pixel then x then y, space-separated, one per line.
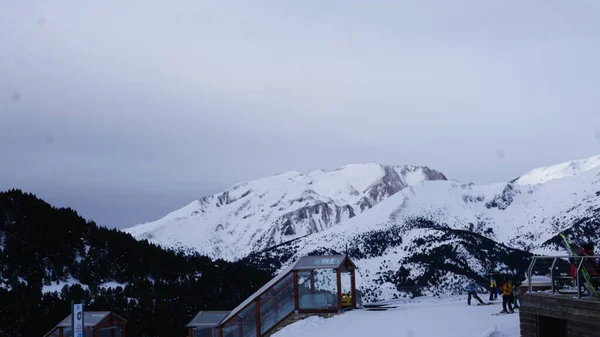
pixel 418 230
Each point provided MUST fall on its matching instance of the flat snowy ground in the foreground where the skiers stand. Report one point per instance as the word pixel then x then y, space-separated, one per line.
pixel 448 317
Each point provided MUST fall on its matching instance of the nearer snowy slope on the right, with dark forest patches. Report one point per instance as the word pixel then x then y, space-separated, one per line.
pixel 438 234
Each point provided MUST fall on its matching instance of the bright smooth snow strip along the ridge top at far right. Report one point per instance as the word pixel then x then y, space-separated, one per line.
pixel 570 168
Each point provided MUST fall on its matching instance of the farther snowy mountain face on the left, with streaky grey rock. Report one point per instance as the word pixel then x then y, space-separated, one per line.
pixel 258 214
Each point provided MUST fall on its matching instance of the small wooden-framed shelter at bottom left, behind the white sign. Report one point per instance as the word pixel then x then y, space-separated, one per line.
pixel 95 324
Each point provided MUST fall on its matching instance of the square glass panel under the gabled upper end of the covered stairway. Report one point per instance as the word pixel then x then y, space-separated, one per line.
pixel 317 290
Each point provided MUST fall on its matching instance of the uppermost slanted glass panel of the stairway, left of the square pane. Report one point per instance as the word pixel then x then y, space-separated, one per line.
pixel 277 302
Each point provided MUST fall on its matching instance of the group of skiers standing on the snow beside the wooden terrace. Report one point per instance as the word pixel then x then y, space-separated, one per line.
pixel 511 294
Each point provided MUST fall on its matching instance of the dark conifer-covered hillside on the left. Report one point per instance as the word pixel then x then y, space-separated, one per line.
pixel 41 245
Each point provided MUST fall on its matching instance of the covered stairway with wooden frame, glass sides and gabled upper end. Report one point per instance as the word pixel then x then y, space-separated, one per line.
pixel 312 285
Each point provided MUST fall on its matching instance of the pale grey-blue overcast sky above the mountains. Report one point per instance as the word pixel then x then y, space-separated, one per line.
pixel 127 111
